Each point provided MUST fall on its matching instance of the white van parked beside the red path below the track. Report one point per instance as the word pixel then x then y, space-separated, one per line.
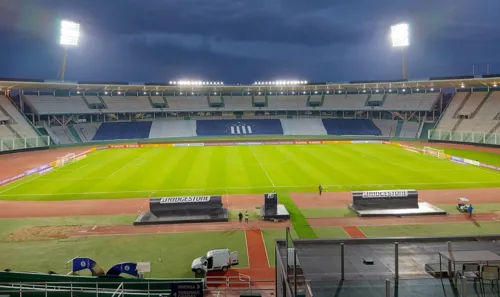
pixel 220 259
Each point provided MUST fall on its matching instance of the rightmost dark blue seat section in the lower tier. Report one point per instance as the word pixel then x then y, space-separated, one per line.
pixel 351 127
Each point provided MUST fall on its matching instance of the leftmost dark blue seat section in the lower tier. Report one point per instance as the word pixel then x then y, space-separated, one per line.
pixel 125 130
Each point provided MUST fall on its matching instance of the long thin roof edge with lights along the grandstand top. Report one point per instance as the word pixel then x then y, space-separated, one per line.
pixel 437 82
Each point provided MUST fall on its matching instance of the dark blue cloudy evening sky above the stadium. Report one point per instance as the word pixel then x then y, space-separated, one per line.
pixel 241 41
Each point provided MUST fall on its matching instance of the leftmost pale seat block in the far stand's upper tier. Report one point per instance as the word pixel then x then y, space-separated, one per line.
pixel 47 104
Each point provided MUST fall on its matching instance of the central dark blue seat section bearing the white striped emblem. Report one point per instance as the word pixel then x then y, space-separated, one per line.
pixel 238 127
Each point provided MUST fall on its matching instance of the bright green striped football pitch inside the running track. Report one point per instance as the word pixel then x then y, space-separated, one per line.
pixel 179 171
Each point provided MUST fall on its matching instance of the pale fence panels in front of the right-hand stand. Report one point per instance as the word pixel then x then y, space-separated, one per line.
pixel 470 137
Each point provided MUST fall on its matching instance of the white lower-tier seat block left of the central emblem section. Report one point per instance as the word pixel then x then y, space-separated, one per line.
pixel 172 128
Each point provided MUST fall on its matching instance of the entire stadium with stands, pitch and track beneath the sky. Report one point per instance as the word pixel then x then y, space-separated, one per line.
pixel 290 188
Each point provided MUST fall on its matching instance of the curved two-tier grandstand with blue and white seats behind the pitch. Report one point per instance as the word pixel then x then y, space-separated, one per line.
pixel 74 113
